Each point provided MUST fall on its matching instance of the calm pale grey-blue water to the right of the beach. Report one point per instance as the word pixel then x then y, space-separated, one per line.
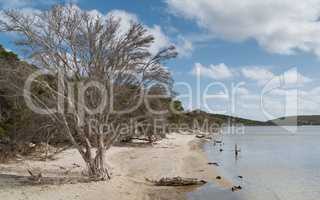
pixel 275 164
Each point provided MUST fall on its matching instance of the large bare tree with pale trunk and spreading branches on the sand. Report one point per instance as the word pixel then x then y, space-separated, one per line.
pixel 88 49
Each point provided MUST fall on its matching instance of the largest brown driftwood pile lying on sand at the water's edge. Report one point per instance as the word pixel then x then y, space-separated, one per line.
pixel 177 181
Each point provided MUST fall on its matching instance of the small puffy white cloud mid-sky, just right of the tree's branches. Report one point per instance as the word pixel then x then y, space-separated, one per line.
pixel 216 72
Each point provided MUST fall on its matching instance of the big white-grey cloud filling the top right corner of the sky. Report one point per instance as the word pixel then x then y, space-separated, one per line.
pixel 278 26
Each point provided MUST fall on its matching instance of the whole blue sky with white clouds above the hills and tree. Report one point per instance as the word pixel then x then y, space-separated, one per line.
pixel 250 58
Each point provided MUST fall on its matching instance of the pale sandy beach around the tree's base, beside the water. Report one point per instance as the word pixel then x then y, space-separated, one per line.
pixel 177 155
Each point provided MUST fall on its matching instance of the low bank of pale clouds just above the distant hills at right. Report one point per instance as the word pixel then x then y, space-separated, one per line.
pixel 286 93
